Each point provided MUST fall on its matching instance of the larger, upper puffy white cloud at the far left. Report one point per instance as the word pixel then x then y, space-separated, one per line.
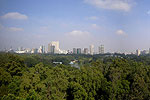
pixel 15 15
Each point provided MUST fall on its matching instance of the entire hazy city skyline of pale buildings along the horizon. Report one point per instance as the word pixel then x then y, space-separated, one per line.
pixel 53 48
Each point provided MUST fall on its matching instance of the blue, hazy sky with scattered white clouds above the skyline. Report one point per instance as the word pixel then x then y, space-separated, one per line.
pixel 119 25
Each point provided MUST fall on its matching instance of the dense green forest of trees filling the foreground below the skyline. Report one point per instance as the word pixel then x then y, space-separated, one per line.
pixel 99 77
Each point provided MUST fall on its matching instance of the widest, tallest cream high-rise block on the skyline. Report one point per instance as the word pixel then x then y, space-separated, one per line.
pixel 53 47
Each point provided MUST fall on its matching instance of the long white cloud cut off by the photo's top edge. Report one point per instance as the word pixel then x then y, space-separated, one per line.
pixel 123 5
